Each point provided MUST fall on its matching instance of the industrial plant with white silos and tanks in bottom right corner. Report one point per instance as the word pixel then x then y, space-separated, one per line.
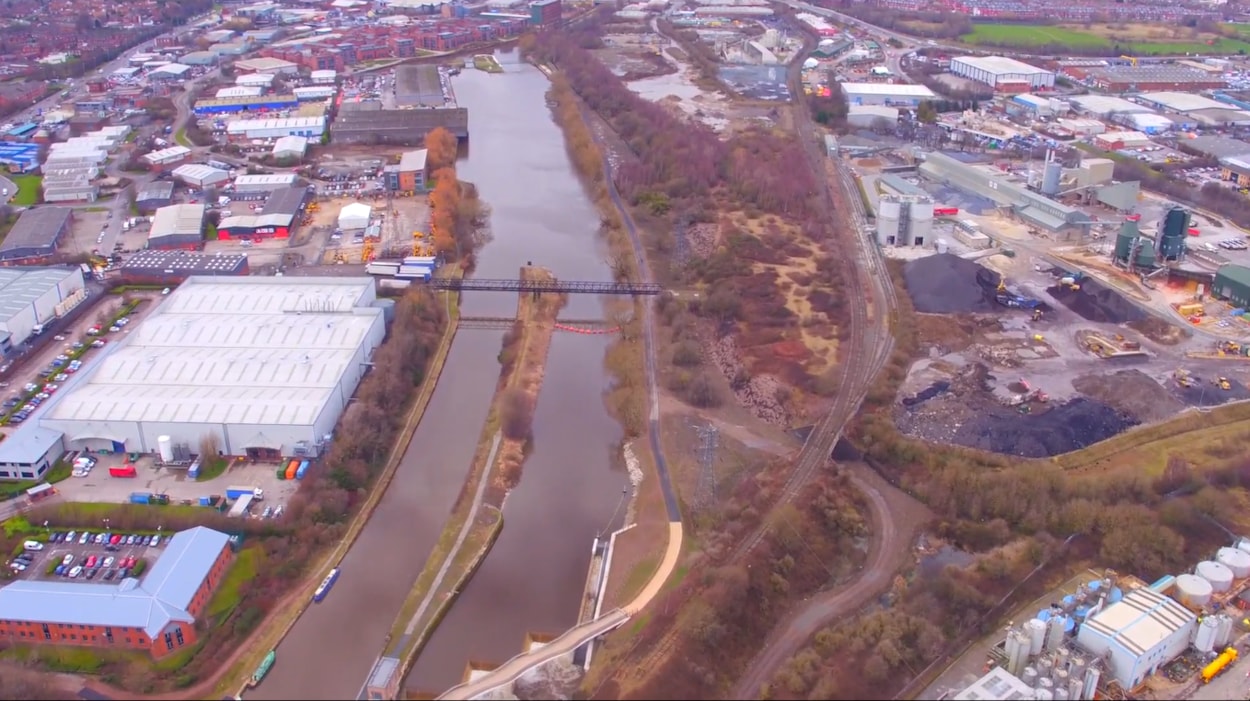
pixel 1104 635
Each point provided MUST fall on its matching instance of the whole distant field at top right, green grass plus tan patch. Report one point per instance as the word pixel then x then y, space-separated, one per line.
pixel 1143 41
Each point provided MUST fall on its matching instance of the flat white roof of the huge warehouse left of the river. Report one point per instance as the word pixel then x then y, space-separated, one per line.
pixel 232 350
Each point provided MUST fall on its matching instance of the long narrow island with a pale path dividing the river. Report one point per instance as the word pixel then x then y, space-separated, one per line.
pixel 472 530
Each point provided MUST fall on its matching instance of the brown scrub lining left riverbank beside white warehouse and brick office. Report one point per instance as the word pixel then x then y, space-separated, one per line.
pixel 278 553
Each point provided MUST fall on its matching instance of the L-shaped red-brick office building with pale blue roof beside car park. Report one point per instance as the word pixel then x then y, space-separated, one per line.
pixel 157 613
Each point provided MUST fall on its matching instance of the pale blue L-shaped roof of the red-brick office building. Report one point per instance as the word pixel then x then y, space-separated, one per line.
pixel 162 598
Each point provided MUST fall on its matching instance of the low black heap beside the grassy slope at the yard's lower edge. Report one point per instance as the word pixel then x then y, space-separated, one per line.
pixel 1063 429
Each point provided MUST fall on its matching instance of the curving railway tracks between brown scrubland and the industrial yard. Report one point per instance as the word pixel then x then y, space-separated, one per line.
pixel 871 344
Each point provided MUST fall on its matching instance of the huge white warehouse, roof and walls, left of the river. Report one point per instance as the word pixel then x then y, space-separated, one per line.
pixel 266 365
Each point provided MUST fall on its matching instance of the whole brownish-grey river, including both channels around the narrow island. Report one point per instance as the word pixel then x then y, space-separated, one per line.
pixel 534 577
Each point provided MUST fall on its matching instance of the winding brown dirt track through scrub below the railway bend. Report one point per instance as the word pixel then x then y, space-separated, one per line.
pixel 897 518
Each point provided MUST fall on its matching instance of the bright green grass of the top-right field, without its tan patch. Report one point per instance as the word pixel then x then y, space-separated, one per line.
pixel 1018 36
